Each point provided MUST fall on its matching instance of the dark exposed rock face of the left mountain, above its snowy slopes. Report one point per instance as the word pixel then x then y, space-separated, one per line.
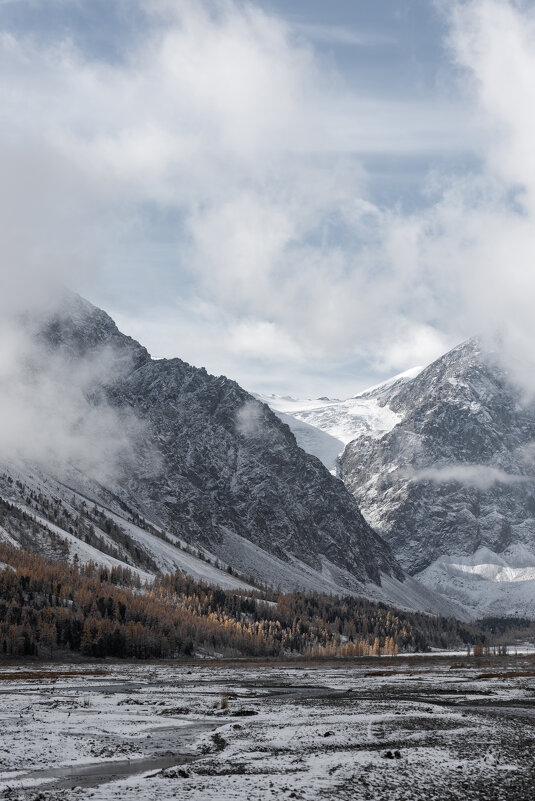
pixel 212 464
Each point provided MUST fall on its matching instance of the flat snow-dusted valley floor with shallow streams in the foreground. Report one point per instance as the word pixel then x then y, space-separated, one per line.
pixel 423 728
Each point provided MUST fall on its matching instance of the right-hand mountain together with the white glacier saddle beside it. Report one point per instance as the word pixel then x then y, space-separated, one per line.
pixel 441 463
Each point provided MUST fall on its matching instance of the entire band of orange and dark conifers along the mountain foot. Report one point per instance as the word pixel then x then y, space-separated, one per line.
pixel 48 606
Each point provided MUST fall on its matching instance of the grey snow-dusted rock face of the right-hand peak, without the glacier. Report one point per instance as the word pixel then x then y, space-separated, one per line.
pixel 456 473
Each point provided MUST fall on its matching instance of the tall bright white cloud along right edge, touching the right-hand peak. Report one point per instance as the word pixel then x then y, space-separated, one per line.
pixel 480 232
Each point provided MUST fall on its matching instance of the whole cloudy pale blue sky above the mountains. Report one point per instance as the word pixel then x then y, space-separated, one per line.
pixel 305 196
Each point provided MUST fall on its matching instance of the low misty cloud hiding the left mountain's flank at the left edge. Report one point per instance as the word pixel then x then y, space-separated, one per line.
pixel 53 414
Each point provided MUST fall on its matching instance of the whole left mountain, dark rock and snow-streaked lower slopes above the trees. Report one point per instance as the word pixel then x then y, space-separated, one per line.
pixel 211 482
